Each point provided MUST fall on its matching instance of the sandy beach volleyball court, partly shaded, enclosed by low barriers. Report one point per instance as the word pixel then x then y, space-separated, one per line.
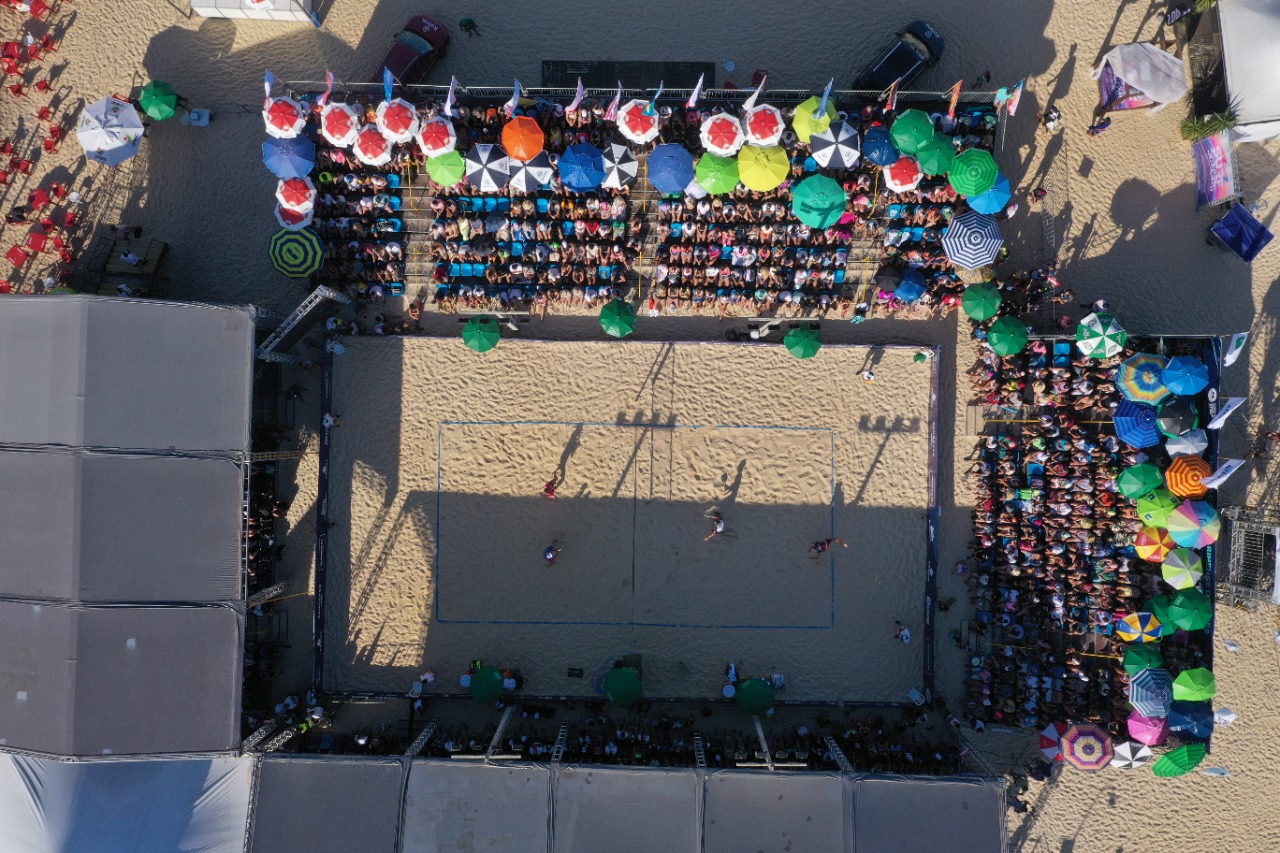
pixel 440 466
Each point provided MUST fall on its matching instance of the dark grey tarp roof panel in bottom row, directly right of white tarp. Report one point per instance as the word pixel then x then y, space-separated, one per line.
pixel 327 805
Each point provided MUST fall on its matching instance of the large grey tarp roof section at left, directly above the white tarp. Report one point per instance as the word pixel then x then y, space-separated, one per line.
pixel 126 681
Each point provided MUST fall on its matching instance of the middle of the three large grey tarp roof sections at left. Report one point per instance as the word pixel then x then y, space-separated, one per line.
pixel 84 527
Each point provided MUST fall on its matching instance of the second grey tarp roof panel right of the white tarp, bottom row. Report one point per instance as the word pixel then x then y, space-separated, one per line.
pixel 459 806
